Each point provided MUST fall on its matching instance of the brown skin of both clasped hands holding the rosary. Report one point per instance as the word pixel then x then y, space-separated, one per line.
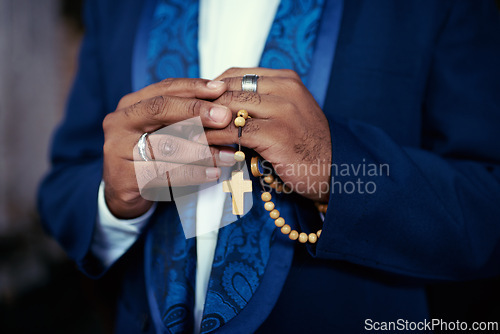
pixel 287 128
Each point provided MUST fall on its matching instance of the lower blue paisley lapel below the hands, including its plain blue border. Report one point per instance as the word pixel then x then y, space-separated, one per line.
pixel 259 261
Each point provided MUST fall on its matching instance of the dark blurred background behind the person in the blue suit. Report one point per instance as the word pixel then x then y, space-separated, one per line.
pixel 41 291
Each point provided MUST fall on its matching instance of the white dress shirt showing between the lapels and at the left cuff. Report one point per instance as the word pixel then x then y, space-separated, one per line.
pixel 232 33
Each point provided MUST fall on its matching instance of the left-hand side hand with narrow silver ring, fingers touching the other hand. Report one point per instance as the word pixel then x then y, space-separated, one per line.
pixel 147 110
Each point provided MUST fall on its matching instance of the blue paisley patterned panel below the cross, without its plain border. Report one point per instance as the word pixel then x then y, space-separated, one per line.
pixel 240 261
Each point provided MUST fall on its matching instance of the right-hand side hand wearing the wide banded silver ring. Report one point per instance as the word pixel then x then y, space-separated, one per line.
pixel 287 128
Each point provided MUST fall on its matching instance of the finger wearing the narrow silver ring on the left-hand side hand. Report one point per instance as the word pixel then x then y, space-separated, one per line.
pixel 173 149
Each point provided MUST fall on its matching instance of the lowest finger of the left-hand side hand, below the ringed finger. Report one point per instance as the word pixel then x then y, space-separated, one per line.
pixel 166 174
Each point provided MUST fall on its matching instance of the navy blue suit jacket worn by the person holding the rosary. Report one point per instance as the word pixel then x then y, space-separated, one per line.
pixel 414 84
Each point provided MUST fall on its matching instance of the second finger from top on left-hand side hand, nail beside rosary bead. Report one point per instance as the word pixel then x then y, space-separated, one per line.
pixel 154 113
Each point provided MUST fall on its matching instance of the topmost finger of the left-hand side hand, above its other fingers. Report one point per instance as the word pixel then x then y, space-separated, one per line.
pixel 193 88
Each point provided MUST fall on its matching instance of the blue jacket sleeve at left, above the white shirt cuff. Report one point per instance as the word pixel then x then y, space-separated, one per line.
pixel 68 195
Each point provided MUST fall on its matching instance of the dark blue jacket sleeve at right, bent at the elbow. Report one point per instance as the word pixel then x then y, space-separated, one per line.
pixel 435 213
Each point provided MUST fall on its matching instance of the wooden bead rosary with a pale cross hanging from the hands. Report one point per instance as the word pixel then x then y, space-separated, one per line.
pixel 238 186
